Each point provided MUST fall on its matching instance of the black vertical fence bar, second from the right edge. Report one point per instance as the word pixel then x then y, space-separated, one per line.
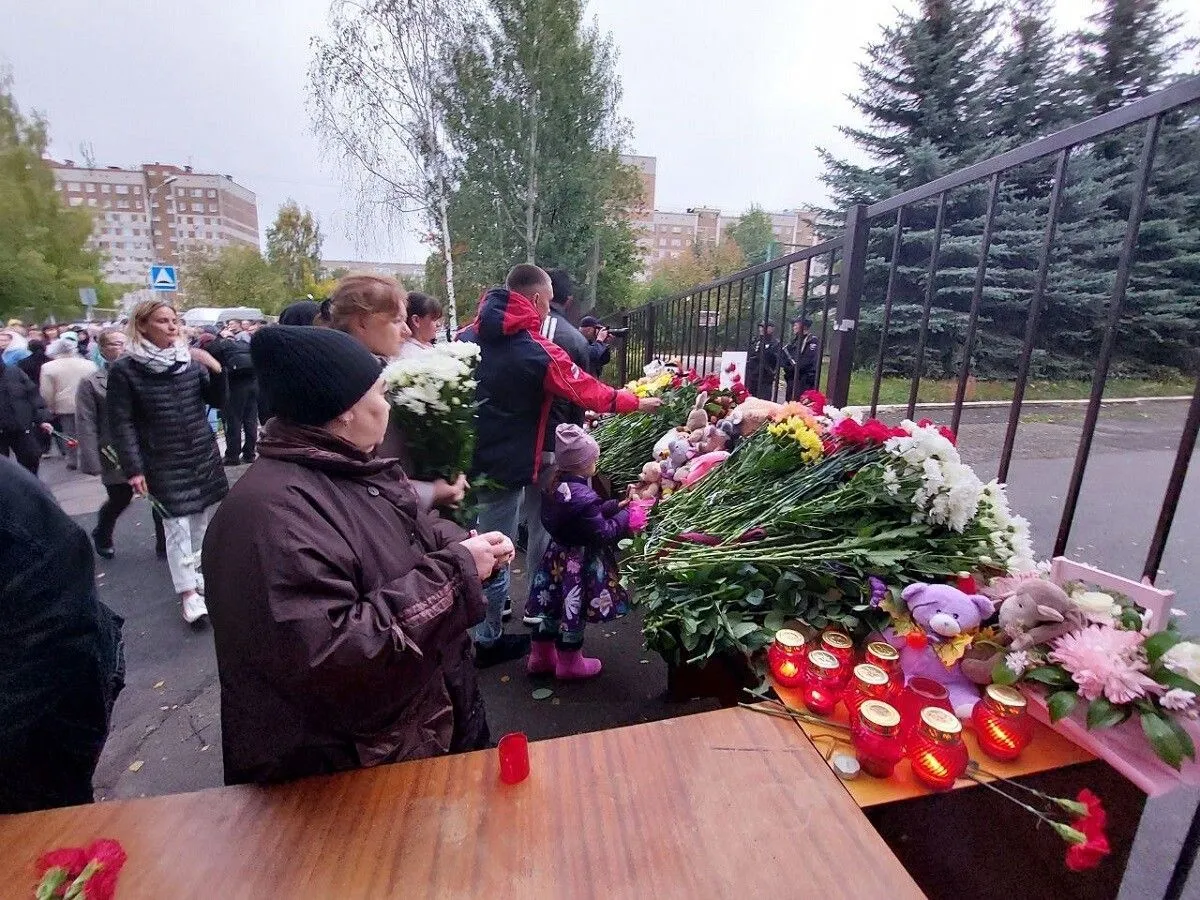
pixel 1117 308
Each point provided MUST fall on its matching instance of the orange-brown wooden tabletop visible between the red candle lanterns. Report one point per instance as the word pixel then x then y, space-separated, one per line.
pixel 1049 751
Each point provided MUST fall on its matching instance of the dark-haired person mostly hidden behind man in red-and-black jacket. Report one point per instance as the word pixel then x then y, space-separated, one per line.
pixel 559 328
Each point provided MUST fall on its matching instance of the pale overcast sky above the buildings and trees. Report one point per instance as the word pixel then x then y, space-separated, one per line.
pixel 733 99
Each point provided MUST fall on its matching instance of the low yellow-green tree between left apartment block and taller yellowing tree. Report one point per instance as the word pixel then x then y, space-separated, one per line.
pixel 232 277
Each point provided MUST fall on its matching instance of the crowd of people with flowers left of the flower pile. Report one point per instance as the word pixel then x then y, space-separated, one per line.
pixel 350 611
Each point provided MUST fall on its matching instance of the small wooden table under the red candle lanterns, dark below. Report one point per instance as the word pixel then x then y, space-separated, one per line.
pixel 971 843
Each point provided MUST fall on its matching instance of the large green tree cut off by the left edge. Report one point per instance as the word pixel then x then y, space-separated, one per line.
pixel 44 254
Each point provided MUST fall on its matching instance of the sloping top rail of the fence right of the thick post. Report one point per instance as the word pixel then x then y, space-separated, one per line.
pixel 1178 95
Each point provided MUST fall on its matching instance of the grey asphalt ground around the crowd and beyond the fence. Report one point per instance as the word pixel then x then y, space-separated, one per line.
pixel 166 735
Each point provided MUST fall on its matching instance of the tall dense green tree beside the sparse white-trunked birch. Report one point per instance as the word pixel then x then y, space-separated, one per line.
pixel 531 113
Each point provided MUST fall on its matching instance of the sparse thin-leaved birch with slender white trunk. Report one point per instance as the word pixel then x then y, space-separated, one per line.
pixel 376 99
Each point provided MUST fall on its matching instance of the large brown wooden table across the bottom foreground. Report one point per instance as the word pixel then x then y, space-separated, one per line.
pixel 725 805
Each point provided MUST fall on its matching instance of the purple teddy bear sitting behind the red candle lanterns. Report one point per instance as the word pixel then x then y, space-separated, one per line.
pixel 945 620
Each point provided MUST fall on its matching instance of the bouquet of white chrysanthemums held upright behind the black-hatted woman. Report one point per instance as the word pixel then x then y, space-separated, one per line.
pixel 433 398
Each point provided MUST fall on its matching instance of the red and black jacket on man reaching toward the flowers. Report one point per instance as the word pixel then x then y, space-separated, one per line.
pixel 520 374
